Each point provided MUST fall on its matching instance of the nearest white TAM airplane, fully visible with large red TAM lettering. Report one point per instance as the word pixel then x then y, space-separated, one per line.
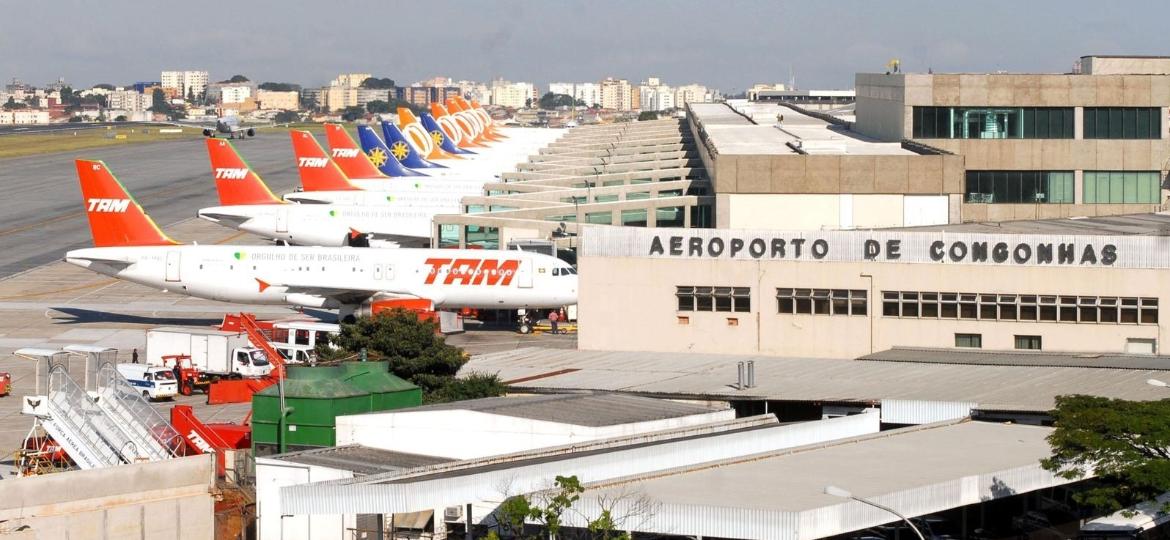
pixel 129 246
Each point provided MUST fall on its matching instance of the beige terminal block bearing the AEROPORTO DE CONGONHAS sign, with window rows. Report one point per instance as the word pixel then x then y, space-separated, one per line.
pixel 1071 286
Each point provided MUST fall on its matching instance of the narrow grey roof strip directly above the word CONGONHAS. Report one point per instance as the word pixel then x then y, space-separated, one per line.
pixel 1137 225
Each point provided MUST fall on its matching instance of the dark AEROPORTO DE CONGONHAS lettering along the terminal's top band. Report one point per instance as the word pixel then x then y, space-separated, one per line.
pixel 887 250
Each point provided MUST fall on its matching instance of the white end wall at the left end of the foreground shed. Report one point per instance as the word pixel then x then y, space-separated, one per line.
pixel 272 475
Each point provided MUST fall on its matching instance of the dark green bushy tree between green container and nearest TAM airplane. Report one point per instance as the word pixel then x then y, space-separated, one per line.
pixel 416 352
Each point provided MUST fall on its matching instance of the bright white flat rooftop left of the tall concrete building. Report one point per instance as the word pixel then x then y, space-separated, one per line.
pixel 745 128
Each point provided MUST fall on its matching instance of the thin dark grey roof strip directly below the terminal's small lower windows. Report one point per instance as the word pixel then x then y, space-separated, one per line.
pixel 1022 358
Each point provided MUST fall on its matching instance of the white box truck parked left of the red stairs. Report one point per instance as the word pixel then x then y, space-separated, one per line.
pixel 215 354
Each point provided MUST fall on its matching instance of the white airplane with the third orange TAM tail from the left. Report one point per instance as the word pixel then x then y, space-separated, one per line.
pixel 326 183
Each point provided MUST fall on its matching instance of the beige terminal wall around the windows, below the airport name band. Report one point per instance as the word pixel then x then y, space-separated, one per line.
pixel 611 285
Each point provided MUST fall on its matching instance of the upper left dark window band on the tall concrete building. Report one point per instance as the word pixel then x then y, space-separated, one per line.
pixel 993 123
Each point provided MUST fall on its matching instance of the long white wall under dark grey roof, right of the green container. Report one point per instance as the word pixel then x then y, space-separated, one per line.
pixel 451 433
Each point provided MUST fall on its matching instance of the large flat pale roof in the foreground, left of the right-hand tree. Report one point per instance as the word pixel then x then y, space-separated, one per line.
pixel 891 462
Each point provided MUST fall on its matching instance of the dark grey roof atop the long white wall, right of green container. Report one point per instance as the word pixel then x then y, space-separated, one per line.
pixel 580 410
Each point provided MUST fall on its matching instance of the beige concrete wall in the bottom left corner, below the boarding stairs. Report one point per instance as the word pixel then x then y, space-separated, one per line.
pixel 167 500
